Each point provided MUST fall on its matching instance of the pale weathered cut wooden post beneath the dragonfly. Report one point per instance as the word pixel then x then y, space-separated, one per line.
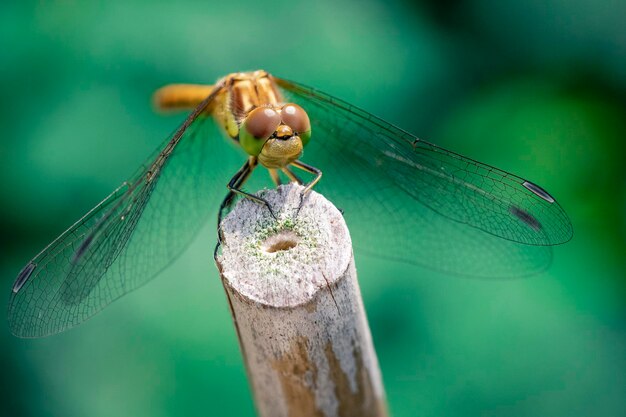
pixel 292 288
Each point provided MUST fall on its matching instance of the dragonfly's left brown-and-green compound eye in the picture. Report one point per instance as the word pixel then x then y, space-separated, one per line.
pixel 256 128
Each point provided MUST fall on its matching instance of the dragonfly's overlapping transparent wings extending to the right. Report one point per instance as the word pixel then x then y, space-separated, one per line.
pixel 410 200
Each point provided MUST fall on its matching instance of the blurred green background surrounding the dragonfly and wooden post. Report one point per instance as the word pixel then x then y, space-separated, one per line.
pixel 535 87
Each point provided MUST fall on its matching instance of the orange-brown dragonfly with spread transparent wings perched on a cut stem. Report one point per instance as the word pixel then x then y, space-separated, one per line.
pixel 402 197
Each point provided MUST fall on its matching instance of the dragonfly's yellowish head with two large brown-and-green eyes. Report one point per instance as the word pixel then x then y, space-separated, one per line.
pixel 275 135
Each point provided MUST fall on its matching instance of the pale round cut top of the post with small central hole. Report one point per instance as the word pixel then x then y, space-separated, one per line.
pixel 283 262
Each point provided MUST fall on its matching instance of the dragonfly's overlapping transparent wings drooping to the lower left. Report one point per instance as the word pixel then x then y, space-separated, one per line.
pixel 129 237
